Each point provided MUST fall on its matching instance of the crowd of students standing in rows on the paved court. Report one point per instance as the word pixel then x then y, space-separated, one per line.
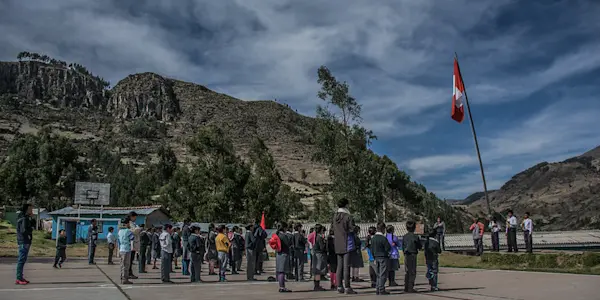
pixel 334 255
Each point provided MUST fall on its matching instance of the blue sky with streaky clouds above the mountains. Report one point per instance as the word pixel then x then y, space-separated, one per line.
pixel 531 68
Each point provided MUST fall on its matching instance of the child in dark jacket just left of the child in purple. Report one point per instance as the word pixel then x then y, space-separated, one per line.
pixel 381 253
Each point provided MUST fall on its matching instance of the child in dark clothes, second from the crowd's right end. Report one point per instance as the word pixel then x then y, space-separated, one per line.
pixel 411 244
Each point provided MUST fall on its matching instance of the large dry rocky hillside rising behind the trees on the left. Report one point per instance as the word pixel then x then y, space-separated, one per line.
pixel 144 111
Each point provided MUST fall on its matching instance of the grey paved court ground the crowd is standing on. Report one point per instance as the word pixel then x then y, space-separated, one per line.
pixel 77 280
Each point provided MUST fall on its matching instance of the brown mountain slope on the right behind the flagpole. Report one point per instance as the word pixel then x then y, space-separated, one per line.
pixel 560 196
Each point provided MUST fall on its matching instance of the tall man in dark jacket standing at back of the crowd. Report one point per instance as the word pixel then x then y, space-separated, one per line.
pixel 343 230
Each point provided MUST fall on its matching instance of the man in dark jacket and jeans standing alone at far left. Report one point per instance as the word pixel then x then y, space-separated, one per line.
pixel 25 224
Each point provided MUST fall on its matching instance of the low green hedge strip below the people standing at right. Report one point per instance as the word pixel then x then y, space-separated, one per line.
pixel 544 261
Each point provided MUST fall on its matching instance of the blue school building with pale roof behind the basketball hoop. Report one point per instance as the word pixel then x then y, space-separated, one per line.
pixel 76 221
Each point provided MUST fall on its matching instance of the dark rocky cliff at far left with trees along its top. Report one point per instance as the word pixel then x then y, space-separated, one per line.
pixel 59 86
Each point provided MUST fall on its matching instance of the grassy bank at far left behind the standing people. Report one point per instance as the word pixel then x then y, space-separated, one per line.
pixel 42 244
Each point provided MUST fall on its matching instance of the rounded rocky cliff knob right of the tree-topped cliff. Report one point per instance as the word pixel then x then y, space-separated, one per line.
pixel 144 95
